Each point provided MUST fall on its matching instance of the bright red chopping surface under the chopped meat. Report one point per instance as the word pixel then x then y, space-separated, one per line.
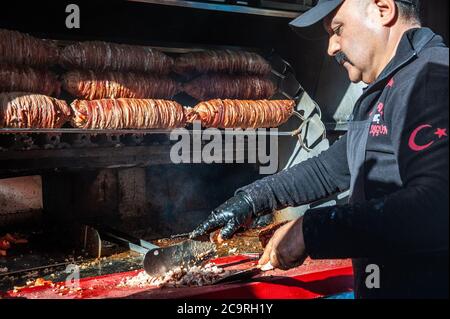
pixel 314 279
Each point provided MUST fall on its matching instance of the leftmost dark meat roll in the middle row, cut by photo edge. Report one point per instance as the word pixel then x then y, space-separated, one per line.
pixel 29 80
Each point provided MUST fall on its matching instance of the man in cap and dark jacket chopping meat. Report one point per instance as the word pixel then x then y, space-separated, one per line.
pixel 394 160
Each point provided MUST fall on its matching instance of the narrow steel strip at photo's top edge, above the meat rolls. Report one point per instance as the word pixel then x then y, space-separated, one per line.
pixel 223 7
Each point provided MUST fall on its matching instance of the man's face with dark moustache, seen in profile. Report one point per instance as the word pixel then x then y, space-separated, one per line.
pixel 354 37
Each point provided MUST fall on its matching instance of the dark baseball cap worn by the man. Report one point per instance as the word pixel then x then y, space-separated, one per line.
pixel 308 25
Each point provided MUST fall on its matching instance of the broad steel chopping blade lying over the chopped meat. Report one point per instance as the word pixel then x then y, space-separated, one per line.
pixel 187 253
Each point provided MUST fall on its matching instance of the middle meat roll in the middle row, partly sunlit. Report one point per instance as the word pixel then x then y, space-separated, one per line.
pixel 94 85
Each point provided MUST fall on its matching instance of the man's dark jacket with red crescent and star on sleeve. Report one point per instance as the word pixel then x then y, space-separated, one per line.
pixel 394 159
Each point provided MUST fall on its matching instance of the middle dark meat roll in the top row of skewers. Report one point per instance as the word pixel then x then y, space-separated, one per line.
pixel 103 56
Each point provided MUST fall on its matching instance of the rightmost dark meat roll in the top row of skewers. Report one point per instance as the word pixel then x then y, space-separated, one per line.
pixel 222 61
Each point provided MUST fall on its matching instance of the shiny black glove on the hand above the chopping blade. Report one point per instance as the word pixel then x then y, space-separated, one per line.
pixel 235 213
